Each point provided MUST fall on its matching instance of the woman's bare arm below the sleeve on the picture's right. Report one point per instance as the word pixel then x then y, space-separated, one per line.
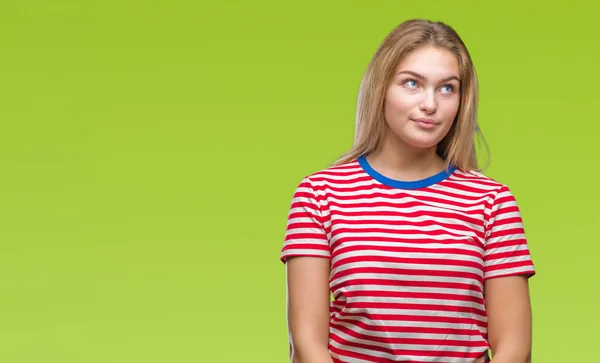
pixel 509 319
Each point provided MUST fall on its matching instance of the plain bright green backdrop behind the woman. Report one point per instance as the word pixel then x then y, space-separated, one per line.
pixel 149 151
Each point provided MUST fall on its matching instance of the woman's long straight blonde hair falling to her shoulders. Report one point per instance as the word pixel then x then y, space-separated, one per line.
pixel 457 147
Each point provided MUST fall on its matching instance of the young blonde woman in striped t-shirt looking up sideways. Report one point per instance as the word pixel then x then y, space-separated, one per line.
pixel 403 251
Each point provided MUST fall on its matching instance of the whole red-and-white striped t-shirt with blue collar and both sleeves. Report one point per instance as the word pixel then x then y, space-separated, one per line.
pixel 408 259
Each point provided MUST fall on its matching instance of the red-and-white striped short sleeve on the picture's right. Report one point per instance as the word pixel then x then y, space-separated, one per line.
pixel 506 249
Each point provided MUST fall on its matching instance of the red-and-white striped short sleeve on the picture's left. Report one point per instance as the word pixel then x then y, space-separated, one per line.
pixel 305 233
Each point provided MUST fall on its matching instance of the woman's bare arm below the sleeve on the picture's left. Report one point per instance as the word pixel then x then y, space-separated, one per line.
pixel 308 309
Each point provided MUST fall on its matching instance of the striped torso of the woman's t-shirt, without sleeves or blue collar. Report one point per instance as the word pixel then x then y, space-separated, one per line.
pixel 407 268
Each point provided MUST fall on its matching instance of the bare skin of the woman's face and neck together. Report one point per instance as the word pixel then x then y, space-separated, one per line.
pixel 425 85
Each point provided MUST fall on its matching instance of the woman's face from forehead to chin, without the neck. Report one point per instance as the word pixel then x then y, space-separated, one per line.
pixel 423 98
